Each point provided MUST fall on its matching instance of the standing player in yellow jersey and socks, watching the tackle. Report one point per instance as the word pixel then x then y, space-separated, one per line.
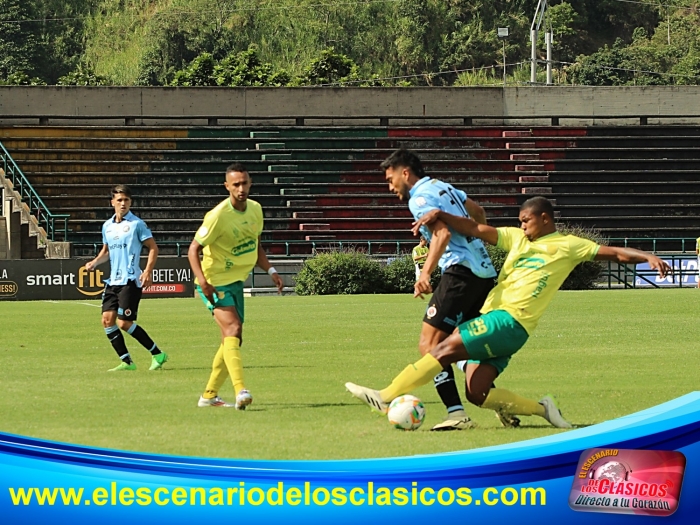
pixel 229 239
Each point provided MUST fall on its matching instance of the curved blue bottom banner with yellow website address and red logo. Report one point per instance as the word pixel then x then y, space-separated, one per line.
pixel 639 465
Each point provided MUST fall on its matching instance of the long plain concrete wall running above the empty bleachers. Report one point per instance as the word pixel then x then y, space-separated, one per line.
pixel 26 104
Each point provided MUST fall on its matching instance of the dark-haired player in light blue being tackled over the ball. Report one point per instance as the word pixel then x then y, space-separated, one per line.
pixel 467 272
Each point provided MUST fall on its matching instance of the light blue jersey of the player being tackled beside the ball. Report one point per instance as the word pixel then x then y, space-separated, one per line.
pixel 429 194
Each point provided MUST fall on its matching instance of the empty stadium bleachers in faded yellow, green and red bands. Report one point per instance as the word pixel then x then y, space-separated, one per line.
pixel 321 185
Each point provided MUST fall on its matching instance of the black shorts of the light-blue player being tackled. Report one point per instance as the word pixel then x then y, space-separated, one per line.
pixel 458 298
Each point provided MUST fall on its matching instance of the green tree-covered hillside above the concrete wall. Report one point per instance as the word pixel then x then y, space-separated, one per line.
pixel 347 42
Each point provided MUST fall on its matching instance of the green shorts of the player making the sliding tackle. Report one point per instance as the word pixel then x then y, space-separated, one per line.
pixel 493 338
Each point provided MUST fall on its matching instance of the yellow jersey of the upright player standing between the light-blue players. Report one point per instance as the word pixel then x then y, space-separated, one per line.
pixel 230 240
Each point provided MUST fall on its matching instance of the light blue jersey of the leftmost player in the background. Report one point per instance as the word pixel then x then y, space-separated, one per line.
pixel 124 240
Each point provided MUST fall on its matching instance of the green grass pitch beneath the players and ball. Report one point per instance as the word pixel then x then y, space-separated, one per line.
pixel 603 354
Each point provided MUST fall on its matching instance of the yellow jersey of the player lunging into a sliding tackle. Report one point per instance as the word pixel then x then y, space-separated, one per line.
pixel 534 271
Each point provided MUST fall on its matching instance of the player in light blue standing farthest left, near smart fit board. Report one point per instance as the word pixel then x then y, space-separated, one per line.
pixel 123 236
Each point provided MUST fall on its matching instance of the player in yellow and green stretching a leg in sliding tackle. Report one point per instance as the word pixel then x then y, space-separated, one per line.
pixel 539 260
